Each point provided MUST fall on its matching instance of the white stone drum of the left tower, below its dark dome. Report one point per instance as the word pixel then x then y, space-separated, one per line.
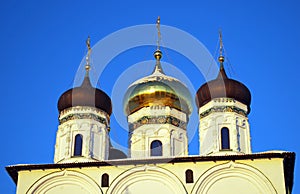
pixel 92 125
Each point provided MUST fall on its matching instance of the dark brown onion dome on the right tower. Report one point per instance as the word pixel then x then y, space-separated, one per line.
pixel 223 86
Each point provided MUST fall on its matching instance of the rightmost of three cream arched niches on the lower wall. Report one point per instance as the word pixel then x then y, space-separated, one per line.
pixel 234 178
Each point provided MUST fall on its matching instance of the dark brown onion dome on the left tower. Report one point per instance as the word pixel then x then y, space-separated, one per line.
pixel 85 95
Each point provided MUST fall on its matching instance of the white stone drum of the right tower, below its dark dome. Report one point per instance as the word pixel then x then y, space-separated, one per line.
pixel 222 113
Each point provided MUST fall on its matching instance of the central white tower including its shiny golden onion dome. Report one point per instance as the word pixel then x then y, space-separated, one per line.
pixel 157 109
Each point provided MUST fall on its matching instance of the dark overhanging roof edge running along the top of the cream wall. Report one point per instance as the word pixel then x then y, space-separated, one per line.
pixel 289 162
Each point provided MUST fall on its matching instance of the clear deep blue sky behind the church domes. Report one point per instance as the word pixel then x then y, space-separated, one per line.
pixel 42 45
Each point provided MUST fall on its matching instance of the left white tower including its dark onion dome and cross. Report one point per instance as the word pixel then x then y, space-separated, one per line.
pixel 84 115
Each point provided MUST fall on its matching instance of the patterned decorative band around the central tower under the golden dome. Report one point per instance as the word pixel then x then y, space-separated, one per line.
pixel 157 120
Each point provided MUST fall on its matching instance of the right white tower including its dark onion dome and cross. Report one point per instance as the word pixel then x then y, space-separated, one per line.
pixel 223 105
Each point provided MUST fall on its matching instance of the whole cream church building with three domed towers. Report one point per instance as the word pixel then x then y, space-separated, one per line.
pixel 157 108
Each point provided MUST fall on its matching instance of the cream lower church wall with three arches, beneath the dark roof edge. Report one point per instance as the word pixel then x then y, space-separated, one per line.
pixel 260 174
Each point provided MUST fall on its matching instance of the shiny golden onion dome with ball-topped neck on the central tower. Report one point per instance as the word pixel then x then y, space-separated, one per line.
pixel 157 89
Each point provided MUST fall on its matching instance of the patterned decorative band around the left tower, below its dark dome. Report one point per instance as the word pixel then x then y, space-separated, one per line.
pixel 76 116
